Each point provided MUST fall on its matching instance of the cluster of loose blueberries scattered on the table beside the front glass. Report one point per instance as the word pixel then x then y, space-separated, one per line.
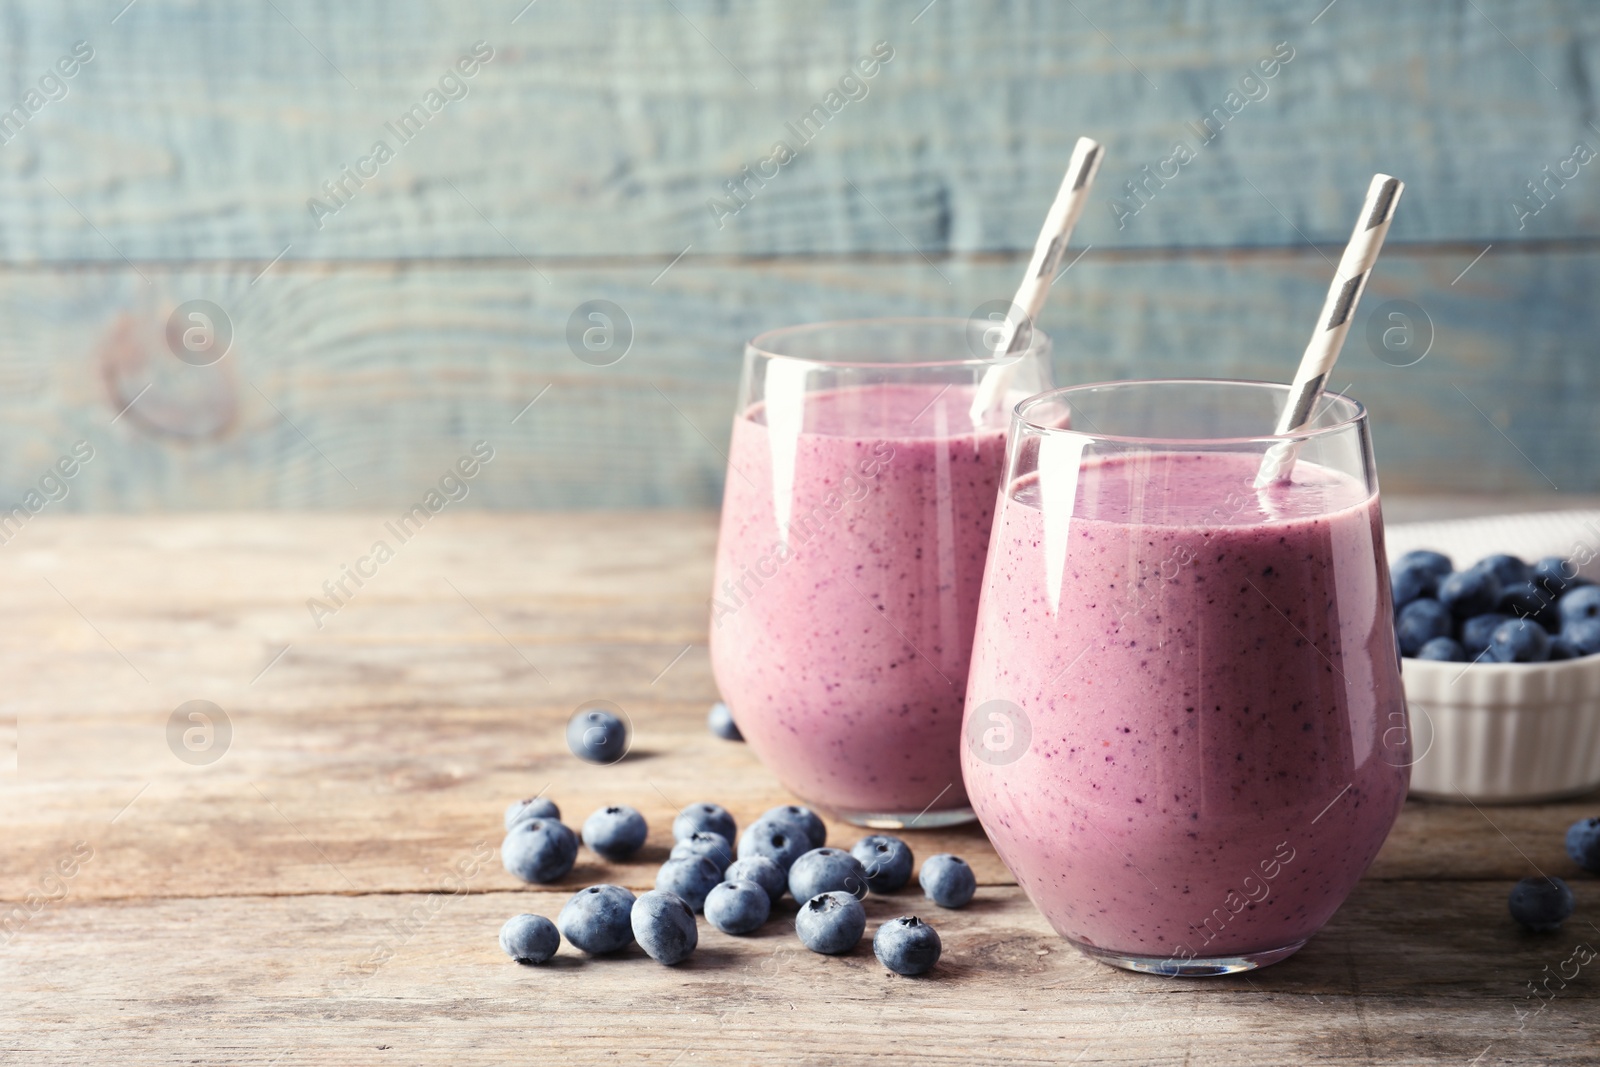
pixel 783 852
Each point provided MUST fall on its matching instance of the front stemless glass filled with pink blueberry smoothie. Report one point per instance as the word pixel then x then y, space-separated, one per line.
pixel 1186 730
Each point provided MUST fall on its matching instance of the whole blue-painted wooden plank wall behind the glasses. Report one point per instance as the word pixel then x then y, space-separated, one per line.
pixel 375 343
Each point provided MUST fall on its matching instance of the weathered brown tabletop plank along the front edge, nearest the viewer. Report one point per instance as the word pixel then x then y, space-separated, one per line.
pixel 1406 973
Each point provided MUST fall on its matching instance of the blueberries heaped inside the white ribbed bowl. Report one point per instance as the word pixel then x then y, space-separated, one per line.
pixel 1500 610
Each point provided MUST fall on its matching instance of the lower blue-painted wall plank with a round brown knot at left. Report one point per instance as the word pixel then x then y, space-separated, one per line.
pixel 361 388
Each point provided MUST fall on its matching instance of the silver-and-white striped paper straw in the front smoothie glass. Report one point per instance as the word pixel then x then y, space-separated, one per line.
pixel 1338 310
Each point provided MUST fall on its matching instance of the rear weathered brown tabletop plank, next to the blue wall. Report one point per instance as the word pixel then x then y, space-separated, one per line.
pixel 382 746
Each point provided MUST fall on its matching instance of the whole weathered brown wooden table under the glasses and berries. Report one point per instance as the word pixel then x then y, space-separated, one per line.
pixel 327 890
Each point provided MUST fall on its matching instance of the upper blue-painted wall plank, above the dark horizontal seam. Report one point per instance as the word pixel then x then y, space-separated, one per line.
pixel 202 132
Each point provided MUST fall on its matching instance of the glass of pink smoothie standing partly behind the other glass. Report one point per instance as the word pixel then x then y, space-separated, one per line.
pixel 863 478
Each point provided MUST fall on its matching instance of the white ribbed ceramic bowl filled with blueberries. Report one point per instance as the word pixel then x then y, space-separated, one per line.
pixel 1502 669
